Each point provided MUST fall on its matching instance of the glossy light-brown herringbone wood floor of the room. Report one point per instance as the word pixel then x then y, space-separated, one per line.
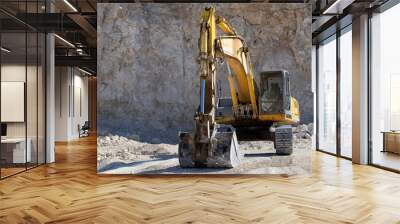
pixel 70 191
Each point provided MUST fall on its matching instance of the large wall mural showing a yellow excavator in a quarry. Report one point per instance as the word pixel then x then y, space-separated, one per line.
pixel 204 88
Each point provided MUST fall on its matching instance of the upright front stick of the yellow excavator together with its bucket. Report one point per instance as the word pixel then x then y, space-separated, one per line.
pixel 211 145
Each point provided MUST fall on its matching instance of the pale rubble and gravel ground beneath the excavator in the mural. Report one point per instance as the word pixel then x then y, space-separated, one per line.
pixel 119 155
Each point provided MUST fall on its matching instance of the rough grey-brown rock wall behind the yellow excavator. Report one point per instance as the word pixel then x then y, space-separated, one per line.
pixel 147 68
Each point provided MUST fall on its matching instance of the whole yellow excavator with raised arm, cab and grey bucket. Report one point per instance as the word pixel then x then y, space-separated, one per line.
pixel 214 142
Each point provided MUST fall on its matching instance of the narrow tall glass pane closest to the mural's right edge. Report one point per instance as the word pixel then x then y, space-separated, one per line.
pixel 327 96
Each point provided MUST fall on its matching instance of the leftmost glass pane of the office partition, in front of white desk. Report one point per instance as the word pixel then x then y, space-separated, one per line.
pixel 13 88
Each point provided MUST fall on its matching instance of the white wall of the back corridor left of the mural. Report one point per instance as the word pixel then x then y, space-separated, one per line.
pixel 70 84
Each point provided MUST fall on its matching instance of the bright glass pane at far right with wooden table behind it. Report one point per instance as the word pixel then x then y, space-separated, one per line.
pixel 385 86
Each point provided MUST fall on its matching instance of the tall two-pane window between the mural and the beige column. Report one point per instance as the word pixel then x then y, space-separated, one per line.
pixel 334 137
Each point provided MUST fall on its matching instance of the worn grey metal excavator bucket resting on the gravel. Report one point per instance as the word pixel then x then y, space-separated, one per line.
pixel 221 151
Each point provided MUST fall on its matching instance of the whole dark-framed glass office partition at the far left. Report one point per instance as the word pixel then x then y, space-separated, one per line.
pixel 22 88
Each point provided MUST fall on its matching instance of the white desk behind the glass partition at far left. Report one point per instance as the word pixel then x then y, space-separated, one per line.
pixel 18 149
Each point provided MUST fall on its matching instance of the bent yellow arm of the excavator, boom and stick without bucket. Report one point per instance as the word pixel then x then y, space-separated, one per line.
pixel 231 48
